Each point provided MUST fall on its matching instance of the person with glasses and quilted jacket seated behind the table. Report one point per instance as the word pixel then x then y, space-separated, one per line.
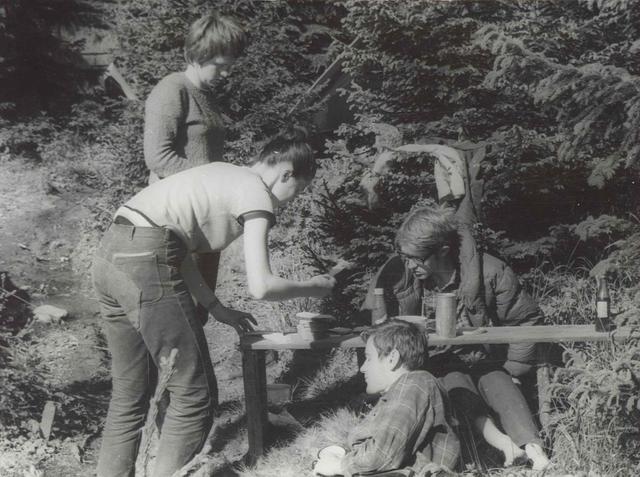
pixel 436 253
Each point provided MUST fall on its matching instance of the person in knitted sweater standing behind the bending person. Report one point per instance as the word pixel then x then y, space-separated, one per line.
pixel 183 125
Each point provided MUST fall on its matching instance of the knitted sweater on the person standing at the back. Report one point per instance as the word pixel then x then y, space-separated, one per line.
pixel 183 127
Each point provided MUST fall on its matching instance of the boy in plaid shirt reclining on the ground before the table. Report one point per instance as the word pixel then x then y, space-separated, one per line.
pixel 411 425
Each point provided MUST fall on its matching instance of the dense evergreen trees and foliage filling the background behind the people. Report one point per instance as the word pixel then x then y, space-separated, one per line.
pixel 549 91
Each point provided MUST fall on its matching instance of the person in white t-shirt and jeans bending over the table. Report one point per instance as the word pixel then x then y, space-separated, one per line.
pixel 144 277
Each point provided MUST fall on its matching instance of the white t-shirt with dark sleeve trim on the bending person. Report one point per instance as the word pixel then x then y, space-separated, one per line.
pixel 206 205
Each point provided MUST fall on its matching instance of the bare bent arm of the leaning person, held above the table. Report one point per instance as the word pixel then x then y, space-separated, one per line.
pixel 263 284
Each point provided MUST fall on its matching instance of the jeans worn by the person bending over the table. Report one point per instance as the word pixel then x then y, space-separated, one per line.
pixel 147 312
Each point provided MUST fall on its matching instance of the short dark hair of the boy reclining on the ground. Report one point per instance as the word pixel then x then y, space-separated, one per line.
pixel 407 338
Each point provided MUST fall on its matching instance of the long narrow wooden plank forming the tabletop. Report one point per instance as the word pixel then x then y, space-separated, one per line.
pixel 490 335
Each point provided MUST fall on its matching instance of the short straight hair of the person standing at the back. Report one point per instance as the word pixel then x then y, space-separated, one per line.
pixel 213 35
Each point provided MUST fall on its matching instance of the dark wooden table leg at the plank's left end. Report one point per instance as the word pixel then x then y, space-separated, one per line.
pixel 255 392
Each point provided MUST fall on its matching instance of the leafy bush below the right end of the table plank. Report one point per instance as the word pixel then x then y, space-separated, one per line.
pixel 597 409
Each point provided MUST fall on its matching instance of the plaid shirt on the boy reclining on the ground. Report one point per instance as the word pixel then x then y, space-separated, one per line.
pixel 412 417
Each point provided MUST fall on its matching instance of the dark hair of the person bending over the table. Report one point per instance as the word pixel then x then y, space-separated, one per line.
pixel 290 145
